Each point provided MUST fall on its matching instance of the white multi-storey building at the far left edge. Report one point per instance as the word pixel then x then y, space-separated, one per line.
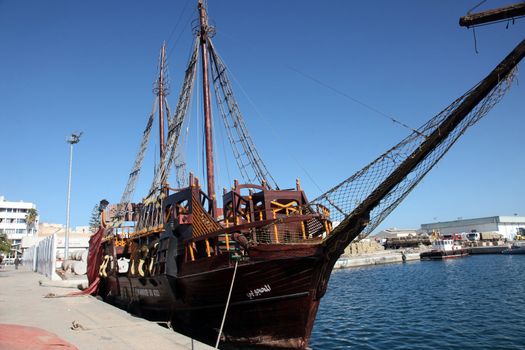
pixel 13 221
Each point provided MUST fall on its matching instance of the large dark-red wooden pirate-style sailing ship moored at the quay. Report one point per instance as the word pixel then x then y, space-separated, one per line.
pixel 250 268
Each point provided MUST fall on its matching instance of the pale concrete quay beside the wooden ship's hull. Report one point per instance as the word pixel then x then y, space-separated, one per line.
pixel 83 321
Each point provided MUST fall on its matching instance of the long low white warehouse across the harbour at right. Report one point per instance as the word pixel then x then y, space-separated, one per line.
pixel 507 226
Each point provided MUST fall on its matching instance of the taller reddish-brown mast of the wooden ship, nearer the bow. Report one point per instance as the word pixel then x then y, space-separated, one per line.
pixel 207 105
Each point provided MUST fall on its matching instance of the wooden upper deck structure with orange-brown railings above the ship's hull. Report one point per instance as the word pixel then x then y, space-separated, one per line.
pixel 181 232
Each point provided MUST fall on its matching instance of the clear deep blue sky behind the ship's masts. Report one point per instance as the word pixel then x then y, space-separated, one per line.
pixel 89 66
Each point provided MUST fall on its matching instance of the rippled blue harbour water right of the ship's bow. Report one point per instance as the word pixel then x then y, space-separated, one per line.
pixel 476 302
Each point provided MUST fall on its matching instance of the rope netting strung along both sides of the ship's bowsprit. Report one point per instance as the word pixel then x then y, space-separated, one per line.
pixel 343 199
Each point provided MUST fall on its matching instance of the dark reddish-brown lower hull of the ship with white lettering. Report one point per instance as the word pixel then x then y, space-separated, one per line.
pixel 273 302
